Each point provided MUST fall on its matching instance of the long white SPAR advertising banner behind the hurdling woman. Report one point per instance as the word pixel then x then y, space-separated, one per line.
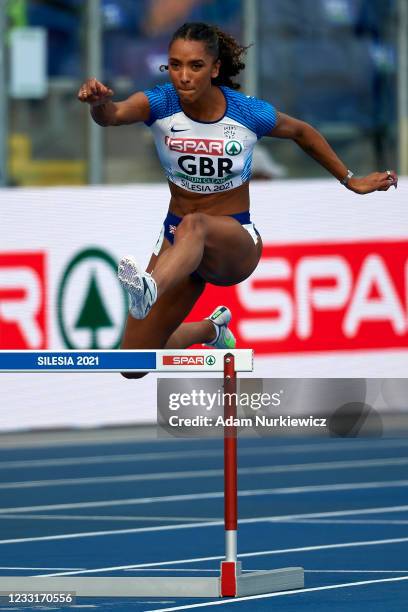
pixel 329 297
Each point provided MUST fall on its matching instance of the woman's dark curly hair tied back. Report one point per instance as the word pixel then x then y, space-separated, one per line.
pixel 219 44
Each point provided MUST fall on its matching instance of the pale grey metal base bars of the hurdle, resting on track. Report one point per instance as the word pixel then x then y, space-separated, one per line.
pixel 252 583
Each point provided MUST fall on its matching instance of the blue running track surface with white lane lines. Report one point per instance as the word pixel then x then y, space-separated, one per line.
pixel 339 508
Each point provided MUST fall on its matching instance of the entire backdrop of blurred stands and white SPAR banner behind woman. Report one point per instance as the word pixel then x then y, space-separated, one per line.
pixel 330 297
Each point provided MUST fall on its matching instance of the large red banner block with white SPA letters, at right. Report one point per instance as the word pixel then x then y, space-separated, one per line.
pixel 320 297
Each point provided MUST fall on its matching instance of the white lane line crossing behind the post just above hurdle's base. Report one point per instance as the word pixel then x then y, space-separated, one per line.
pixel 262 553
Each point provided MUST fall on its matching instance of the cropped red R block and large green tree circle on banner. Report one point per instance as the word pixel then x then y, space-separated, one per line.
pixel 76 304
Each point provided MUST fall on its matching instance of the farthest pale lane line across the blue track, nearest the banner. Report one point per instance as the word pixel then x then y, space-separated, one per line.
pixel 199 454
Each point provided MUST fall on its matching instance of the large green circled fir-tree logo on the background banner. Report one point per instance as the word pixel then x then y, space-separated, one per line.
pixel 90 299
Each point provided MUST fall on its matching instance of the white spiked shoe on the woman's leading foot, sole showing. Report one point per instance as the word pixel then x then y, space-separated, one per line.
pixel 140 285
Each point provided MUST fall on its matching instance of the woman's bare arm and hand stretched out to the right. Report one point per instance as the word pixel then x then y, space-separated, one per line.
pixel 315 145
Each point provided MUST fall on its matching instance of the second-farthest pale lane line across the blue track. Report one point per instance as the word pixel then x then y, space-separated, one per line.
pixel 272 469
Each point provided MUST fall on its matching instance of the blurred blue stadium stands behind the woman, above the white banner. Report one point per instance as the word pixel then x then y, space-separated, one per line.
pixel 329 62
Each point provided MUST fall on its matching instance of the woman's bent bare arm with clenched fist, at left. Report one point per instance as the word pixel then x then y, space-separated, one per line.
pixel 106 112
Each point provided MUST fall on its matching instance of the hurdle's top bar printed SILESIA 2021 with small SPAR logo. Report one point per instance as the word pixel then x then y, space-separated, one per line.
pixel 166 360
